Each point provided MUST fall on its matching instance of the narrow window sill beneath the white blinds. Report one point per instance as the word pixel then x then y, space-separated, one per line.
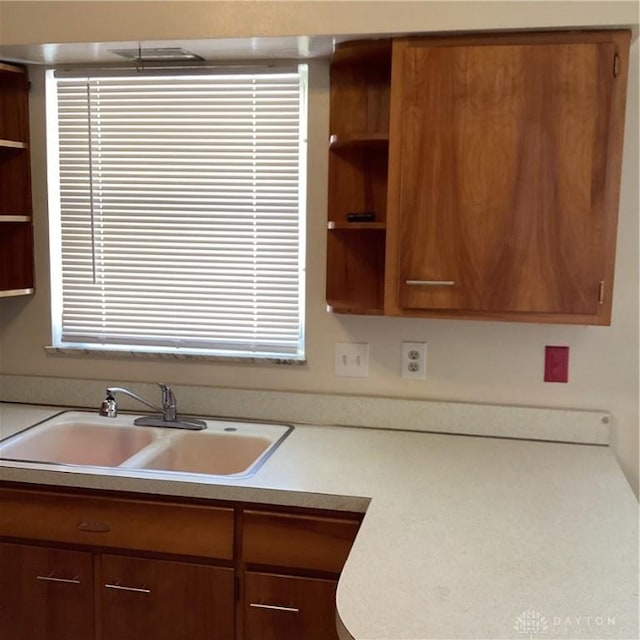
pixel 182 357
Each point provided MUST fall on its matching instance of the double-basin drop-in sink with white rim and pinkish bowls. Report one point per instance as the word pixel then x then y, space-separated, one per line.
pixel 225 448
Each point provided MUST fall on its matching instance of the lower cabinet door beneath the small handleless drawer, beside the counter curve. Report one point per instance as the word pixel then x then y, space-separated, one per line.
pixel 289 608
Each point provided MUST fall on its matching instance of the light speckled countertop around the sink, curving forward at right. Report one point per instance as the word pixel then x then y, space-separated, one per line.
pixel 463 537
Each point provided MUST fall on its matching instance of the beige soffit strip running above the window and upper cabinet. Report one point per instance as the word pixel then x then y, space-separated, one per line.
pixel 25 22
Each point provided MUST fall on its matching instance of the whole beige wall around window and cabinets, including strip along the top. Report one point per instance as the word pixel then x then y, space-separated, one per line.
pixel 469 361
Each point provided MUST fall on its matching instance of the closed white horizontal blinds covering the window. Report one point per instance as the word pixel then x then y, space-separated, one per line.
pixel 181 212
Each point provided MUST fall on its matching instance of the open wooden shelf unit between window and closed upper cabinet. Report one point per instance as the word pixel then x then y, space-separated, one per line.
pixel 358 175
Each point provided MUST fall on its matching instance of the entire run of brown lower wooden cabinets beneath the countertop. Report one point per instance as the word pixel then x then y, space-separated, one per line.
pixel 92 565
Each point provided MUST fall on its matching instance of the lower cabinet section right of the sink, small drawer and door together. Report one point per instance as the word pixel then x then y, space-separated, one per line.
pixel 277 605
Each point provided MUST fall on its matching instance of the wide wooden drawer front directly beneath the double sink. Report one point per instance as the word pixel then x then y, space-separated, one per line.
pixel 117 522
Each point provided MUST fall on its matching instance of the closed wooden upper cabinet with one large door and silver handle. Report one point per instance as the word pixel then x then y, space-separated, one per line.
pixel 504 173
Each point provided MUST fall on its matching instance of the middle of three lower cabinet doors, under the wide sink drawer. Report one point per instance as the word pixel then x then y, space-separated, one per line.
pixel 165 600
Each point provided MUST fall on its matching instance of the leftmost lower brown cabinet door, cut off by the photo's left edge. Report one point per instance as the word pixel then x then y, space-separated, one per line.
pixel 45 594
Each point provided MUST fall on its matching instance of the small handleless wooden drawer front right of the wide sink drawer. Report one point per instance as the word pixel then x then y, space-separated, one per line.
pixel 304 542
